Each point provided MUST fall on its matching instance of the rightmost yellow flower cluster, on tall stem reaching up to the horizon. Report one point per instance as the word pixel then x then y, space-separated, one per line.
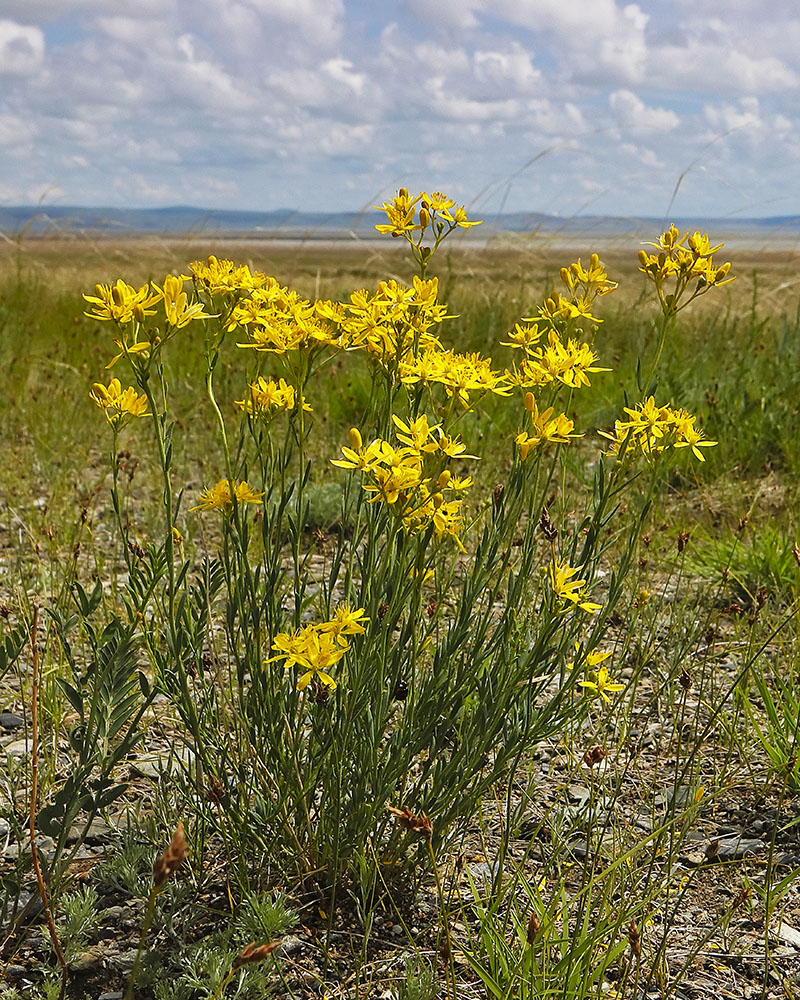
pixel 682 268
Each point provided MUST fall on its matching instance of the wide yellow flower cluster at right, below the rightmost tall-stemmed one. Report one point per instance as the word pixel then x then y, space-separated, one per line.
pixel 652 429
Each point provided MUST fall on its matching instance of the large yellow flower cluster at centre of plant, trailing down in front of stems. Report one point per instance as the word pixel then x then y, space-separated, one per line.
pixel 403 477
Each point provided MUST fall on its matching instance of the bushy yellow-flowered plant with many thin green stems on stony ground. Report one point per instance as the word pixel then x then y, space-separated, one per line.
pixel 415 668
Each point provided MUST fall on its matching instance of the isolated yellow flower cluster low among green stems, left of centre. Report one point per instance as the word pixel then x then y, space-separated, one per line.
pixel 316 648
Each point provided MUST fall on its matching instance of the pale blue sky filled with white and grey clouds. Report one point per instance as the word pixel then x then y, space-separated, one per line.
pixel 568 107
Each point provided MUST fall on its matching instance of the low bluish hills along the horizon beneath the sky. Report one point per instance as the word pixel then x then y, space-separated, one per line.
pixel 288 224
